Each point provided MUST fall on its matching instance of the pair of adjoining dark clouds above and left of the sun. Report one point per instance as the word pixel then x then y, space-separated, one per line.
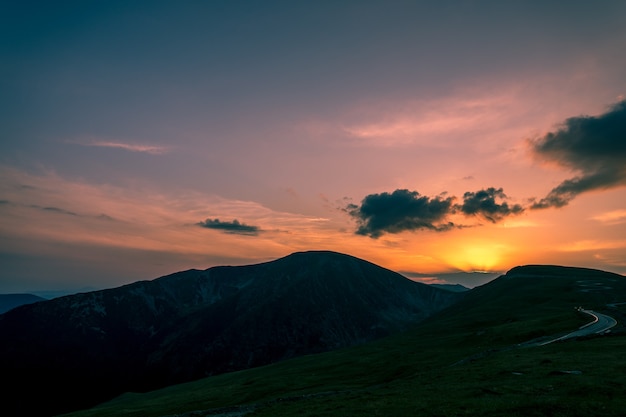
pixel 405 210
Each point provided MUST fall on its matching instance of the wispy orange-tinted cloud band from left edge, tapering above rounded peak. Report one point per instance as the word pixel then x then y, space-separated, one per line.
pixel 52 208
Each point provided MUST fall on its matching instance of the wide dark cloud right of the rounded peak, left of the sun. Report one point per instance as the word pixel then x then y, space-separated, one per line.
pixel 399 211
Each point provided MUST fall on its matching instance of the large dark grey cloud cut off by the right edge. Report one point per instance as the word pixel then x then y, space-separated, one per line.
pixel 593 146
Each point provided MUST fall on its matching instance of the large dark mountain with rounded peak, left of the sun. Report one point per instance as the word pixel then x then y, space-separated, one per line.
pixel 191 324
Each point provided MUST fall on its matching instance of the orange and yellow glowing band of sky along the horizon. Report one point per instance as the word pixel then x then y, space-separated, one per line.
pixel 94 221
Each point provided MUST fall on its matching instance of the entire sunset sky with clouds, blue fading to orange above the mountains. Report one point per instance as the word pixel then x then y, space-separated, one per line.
pixel 141 138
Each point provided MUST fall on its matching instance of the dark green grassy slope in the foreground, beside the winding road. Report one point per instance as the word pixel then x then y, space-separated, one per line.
pixel 412 373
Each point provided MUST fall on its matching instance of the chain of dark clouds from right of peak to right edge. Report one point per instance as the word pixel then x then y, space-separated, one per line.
pixel 592 146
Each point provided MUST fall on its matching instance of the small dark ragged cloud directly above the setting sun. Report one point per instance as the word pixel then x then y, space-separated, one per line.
pixel 483 204
